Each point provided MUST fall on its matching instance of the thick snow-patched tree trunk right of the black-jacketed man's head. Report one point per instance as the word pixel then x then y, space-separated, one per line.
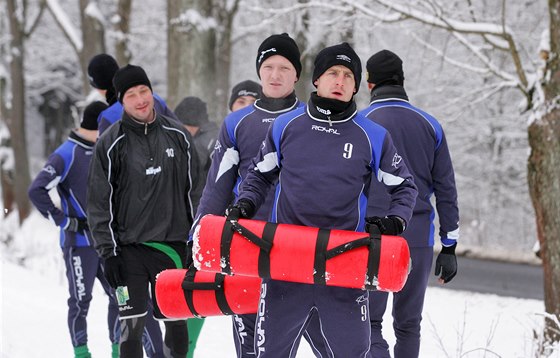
pixel 191 57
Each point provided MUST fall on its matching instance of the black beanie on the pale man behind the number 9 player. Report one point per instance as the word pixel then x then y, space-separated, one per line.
pixel 282 45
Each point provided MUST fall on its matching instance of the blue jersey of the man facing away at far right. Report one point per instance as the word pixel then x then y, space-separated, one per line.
pixel 419 137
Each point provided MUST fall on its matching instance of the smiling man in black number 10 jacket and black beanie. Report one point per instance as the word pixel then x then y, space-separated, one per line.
pixel 139 207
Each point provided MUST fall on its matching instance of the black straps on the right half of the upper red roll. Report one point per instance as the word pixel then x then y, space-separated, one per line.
pixel 373 242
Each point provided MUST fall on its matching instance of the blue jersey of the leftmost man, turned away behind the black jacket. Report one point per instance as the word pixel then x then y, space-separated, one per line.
pixel 66 170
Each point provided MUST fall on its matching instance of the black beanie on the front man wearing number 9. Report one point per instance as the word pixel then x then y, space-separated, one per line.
pixel 341 54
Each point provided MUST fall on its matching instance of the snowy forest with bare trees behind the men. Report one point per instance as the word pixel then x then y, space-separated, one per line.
pixel 488 70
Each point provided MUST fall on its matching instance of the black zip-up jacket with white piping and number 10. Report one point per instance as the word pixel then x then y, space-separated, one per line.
pixel 140 181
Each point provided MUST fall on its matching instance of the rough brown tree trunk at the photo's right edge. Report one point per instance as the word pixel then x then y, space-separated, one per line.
pixel 544 179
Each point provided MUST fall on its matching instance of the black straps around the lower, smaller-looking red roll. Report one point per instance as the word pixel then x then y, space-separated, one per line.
pixel 217 286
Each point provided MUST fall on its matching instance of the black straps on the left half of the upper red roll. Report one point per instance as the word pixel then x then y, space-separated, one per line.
pixel 265 244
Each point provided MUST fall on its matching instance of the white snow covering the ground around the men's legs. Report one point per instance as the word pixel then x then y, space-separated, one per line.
pixel 33 311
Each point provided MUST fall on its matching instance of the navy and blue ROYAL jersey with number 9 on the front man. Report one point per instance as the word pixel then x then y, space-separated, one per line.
pixel 323 169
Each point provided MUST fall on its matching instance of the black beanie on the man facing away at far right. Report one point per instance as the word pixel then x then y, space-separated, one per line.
pixel 384 66
